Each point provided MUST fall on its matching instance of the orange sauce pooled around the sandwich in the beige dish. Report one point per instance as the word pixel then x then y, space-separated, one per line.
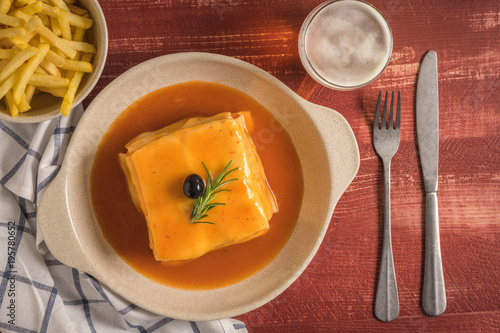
pixel 124 227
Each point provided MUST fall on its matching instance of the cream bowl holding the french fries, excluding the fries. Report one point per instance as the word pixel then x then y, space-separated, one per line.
pixel 46 106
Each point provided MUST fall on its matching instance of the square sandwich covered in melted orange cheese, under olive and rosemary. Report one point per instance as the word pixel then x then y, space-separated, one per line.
pixel 156 164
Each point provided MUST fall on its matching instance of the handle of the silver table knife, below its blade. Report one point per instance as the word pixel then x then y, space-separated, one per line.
pixel 434 293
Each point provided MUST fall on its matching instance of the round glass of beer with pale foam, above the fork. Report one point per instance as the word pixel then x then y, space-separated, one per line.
pixel 345 44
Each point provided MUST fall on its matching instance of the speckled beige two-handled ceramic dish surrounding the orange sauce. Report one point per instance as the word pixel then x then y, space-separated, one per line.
pixel 324 141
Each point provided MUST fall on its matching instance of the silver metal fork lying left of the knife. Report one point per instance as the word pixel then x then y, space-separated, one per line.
pixel 386 143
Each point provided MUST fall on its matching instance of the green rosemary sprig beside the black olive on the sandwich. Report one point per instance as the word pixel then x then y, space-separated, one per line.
pixel 204 202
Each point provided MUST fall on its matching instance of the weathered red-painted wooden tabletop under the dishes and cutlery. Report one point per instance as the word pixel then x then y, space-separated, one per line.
pixel 336 292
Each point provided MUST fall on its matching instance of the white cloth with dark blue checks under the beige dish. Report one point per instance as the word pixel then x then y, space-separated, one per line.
pixel 37 292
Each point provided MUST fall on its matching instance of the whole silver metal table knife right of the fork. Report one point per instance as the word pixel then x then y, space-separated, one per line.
pixel 434 293
